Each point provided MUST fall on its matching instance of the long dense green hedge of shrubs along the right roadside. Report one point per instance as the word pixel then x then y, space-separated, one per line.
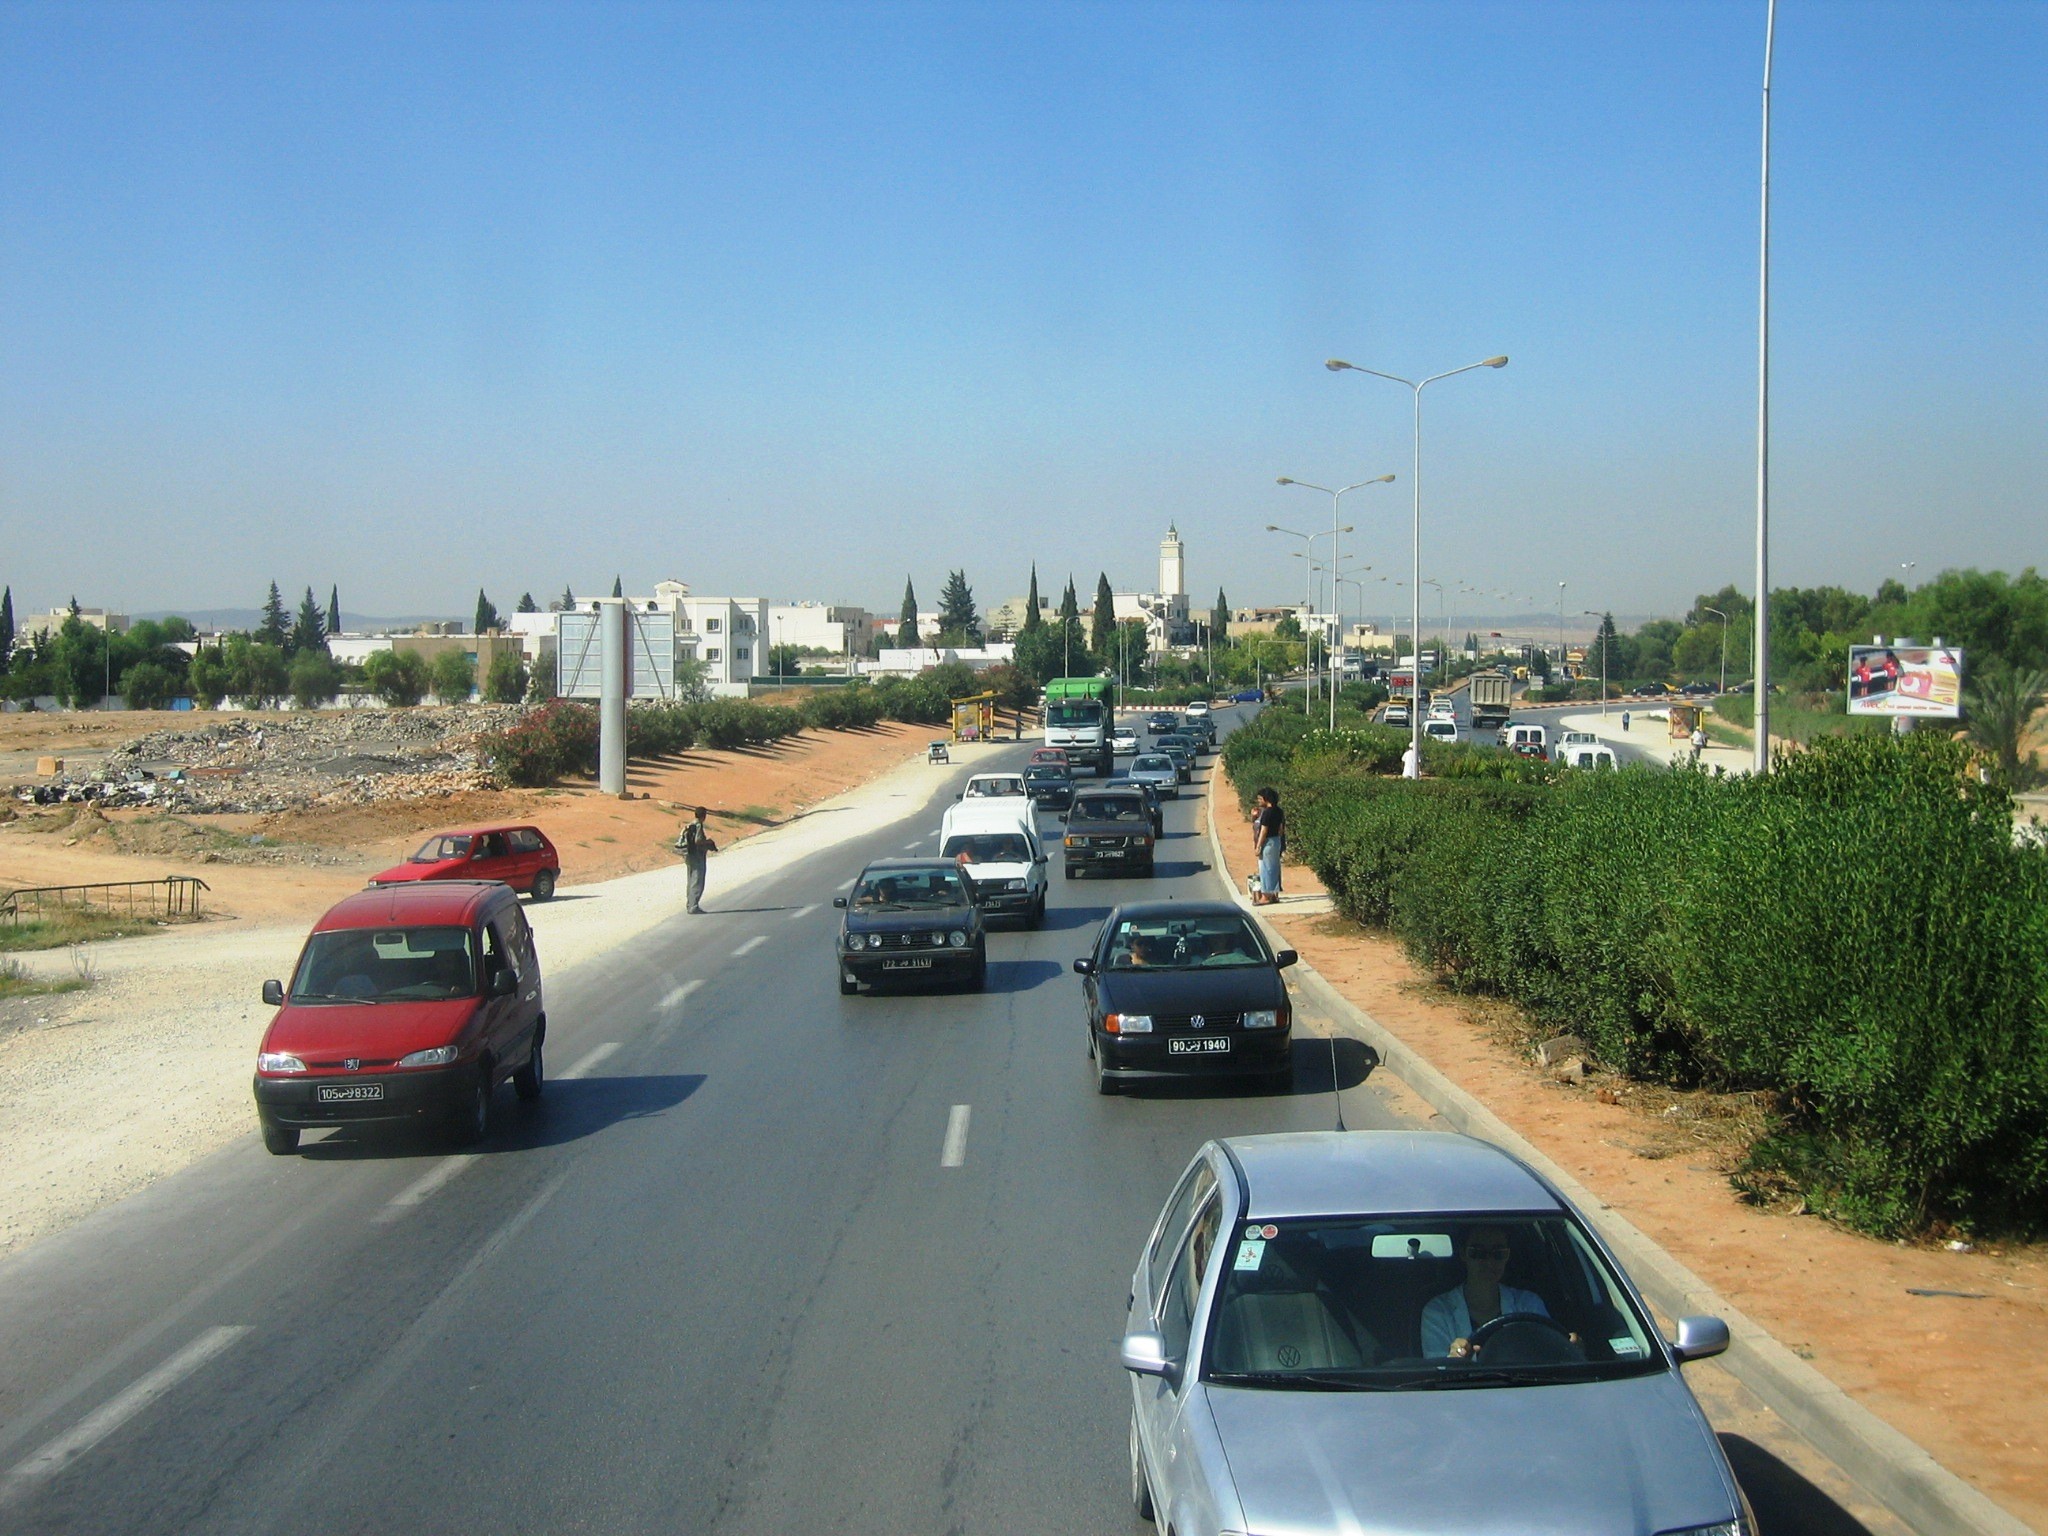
pixel 1857 931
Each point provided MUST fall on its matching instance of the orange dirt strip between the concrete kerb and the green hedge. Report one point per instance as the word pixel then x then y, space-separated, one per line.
pixel 1963 1375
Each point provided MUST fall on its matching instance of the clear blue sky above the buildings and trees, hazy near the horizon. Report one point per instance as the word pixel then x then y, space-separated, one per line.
pixel 800 300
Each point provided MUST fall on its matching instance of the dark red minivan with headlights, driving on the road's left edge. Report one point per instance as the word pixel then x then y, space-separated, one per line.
pixel 409 1005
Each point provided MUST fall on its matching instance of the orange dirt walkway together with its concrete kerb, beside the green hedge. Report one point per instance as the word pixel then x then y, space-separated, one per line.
pixel 1897 1361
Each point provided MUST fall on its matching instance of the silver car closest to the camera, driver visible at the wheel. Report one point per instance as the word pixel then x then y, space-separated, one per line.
pixel 1406 1332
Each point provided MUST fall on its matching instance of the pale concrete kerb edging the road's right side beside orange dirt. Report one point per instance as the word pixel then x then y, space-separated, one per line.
pixel 1885 1463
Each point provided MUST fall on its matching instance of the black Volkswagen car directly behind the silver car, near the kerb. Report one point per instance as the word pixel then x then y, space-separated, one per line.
pixel 1187 988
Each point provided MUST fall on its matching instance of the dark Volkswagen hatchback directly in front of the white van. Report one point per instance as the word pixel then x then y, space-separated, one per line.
pixel 912 921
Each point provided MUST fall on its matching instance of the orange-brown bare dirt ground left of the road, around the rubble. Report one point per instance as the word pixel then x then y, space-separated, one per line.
pixel 294 865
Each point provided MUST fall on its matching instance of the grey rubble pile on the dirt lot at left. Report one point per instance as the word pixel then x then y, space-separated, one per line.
pixel 239 765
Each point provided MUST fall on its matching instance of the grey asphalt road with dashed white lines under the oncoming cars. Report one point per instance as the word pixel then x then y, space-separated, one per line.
pixel 720 1281
